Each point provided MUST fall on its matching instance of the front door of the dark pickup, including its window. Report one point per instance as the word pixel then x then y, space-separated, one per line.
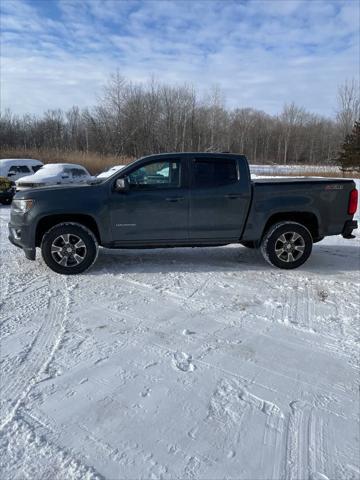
pixel 155 208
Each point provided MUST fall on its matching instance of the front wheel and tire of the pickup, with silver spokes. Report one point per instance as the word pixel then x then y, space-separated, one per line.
pixel 69 248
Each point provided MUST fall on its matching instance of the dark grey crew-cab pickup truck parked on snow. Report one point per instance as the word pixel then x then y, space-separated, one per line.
pixel 178 200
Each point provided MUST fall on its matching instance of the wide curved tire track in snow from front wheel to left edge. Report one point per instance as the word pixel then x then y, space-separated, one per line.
pixel 37 358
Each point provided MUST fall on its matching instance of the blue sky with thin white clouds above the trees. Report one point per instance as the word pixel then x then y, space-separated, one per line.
pixel 262 53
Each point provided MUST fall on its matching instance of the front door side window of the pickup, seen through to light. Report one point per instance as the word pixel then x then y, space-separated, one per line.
pixel 156 175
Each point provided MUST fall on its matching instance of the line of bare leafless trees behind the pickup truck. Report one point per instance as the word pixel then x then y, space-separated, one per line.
pixel 137 119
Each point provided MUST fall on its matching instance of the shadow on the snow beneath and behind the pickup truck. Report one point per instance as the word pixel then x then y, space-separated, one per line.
pixel 323 260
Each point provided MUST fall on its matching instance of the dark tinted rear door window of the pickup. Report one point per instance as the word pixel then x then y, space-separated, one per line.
pixel 214 172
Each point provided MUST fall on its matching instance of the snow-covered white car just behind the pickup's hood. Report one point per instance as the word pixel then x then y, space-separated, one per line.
pixel 54 174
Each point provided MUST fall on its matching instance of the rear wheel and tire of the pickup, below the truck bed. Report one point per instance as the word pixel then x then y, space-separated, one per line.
pixel 287 245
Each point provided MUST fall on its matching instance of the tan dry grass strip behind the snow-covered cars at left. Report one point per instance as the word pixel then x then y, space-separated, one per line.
pixel 95 163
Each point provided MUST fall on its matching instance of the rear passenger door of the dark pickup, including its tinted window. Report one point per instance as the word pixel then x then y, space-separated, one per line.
pixel 219 199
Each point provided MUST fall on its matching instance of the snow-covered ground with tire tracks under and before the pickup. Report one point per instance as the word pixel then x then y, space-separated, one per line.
pixel 181 363
